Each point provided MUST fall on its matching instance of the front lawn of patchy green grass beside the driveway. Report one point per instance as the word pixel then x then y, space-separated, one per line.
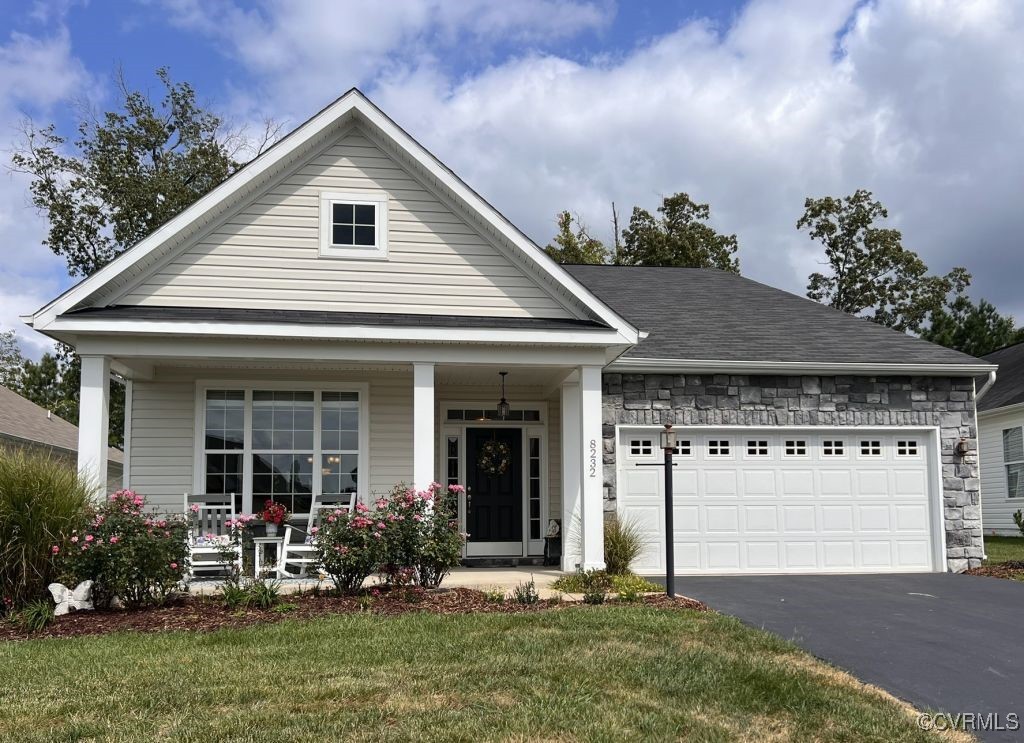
pixel 599 674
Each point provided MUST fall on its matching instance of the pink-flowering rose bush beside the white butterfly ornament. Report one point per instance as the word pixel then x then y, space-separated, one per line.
pixel 129 555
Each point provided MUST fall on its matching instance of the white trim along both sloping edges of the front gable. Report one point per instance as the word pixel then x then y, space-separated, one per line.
pixel 354 107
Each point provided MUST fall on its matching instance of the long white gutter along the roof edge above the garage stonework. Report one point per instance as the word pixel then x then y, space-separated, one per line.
pixel 799 368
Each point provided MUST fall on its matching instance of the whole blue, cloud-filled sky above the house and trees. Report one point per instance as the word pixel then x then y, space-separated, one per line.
pixel 543 106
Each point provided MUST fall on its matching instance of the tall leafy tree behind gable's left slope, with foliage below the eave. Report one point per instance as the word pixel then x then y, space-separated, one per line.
pixel 131 170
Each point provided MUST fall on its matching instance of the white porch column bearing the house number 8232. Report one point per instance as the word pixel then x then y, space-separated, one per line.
pixel 593 468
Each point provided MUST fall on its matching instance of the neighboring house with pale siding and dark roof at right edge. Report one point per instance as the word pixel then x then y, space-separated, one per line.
pixel 1001 426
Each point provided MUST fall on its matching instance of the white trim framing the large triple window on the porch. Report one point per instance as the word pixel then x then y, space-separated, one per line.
pixel 247 386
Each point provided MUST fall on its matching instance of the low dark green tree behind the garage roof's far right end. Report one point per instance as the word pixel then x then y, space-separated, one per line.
pixel 973 329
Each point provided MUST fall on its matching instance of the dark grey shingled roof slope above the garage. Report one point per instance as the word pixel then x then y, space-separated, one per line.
pixel 710 316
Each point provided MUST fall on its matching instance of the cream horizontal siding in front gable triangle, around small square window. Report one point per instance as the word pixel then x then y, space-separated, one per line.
pixel 266 255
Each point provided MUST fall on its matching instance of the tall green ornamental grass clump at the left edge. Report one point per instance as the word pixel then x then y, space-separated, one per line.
pixel 41 502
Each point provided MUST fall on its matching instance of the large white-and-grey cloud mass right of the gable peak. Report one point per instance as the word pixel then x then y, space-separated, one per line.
pixel 920 102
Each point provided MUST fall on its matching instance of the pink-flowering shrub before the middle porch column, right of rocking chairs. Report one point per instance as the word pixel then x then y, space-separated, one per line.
pixel 411 536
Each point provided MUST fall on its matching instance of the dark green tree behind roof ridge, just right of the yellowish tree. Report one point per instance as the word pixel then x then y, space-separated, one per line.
pixel 680 237
